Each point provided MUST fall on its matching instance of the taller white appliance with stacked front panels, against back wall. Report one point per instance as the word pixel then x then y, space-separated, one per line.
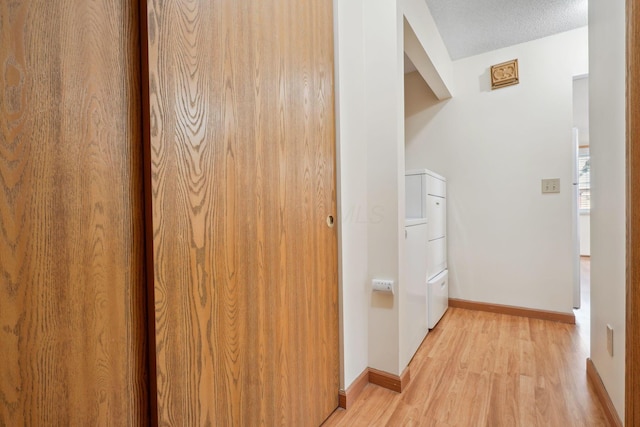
pixel 426 197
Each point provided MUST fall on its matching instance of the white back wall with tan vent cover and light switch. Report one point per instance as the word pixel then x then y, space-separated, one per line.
pixel 508 243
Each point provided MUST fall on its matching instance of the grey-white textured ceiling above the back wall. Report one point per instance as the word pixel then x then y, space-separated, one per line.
pixel 470 27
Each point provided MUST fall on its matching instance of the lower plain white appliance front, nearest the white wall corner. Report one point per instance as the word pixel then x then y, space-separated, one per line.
pixel 416 328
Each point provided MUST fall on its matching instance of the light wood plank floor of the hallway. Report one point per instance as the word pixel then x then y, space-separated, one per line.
pixel 485 369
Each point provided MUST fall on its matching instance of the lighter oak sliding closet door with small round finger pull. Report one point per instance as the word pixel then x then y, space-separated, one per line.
pixel 242 155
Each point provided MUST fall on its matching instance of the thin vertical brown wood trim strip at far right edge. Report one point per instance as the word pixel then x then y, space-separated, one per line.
pixel 632 374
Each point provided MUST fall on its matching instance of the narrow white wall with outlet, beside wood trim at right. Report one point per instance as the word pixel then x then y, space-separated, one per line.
pixel 607 141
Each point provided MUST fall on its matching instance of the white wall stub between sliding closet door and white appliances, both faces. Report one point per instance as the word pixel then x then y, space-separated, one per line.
pixel 370 136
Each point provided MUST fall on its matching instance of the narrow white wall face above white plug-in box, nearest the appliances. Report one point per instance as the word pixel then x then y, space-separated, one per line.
pixel 384 59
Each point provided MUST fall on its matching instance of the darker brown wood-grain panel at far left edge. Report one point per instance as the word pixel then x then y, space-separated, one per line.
pixel 72 304
